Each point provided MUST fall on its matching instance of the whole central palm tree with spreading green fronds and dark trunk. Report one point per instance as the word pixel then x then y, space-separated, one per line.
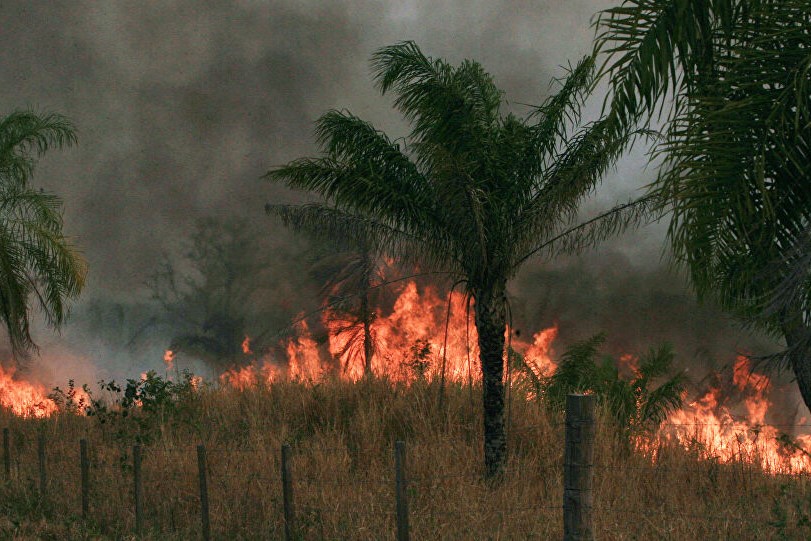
pixel 470 191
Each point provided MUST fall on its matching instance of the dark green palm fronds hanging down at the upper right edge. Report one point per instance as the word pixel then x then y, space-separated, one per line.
pixel 732 78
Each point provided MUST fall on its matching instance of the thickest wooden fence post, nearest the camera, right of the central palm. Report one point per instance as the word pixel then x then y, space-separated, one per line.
pixel 578 461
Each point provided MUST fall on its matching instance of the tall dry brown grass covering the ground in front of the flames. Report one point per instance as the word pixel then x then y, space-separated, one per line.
pixel 343 438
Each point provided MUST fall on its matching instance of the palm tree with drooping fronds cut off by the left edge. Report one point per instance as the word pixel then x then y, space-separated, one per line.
pixel 35 257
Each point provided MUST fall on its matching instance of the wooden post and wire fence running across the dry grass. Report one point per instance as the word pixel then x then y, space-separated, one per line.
pixel 391 497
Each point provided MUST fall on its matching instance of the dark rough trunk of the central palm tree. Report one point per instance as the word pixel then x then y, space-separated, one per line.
pixel 491 321
